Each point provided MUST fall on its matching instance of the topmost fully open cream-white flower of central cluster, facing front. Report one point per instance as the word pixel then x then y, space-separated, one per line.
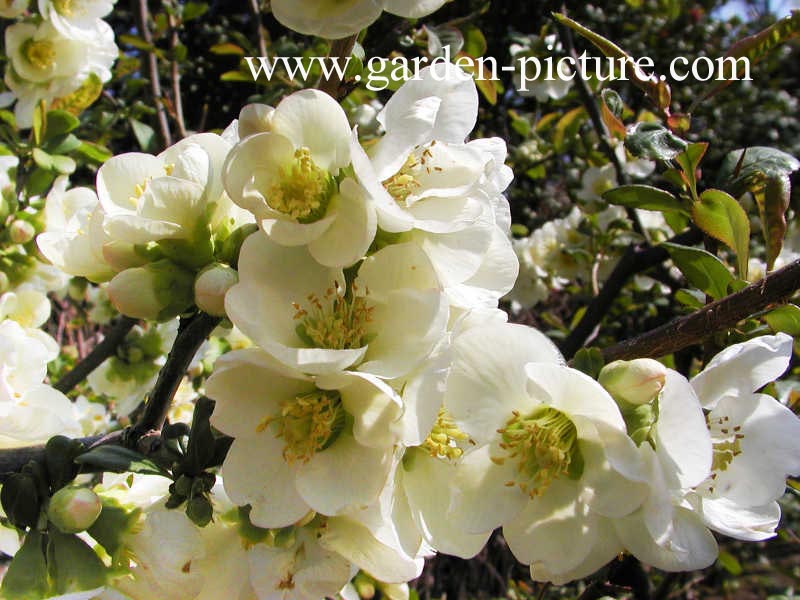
pixel 285 173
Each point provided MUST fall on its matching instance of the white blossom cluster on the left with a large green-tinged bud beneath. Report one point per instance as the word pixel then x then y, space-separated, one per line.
pixel 154 223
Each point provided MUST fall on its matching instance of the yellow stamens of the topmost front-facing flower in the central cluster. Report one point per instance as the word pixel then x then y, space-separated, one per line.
pixel 303 190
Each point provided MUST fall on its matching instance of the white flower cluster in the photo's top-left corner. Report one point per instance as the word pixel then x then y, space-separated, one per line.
pixel 53 54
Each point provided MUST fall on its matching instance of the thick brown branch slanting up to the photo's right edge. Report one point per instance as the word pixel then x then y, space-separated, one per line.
pixel 717 316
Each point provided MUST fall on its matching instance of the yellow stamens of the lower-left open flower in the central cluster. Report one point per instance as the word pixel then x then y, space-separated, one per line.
pixel 307 423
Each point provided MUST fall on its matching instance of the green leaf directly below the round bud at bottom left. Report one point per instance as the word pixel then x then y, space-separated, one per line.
pixel 72 564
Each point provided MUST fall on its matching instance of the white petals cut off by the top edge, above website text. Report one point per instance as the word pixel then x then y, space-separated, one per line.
pixel 340 19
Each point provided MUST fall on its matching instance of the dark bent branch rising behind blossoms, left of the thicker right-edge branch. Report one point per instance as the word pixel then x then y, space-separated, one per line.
pixel 637 258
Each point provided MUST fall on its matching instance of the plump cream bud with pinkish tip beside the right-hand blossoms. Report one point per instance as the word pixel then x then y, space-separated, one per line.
pixel 636 382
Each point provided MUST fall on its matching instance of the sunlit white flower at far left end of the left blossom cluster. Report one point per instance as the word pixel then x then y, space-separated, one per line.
pixel 74 238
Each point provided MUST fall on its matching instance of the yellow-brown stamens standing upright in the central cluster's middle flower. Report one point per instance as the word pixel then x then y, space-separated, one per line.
pixel 334 321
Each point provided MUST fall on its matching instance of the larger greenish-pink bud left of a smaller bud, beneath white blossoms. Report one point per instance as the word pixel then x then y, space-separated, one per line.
pixel 157 292
